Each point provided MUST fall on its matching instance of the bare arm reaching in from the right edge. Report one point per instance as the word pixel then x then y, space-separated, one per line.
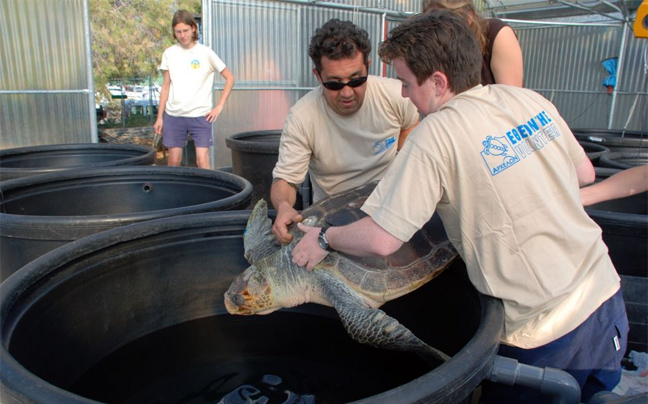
pixel 625 183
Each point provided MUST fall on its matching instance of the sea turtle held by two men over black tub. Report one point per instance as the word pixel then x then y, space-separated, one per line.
pixel 354 286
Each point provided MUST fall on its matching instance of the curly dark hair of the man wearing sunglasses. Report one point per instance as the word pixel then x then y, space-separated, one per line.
pixel 338 40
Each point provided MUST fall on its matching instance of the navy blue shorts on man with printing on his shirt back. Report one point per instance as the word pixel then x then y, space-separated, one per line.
pixel 591 353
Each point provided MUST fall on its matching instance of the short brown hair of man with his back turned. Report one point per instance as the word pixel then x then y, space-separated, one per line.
pixel 439 40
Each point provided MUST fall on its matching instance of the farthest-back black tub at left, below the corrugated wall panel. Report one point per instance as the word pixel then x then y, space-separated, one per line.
pixel 25 161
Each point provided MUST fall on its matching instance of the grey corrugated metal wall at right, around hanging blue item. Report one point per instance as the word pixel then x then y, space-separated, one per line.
pixel 563 62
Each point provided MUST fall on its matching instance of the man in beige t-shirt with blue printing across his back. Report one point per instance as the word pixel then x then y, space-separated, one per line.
pixel 503 170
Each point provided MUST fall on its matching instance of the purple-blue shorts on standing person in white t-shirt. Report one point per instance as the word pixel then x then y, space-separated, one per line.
pixel 176 128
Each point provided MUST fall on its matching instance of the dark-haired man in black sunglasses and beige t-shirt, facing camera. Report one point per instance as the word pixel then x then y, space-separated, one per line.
pixel 345 132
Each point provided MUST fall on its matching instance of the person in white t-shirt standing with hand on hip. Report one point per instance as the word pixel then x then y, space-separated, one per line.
pixel 186 96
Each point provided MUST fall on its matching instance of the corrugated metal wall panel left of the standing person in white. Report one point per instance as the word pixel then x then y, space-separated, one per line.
pixel 46 94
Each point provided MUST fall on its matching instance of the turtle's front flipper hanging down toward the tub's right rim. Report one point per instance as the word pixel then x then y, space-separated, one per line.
pixel 373 326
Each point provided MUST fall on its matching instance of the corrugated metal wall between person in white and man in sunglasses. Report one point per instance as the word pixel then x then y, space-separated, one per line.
pixel 265 44
